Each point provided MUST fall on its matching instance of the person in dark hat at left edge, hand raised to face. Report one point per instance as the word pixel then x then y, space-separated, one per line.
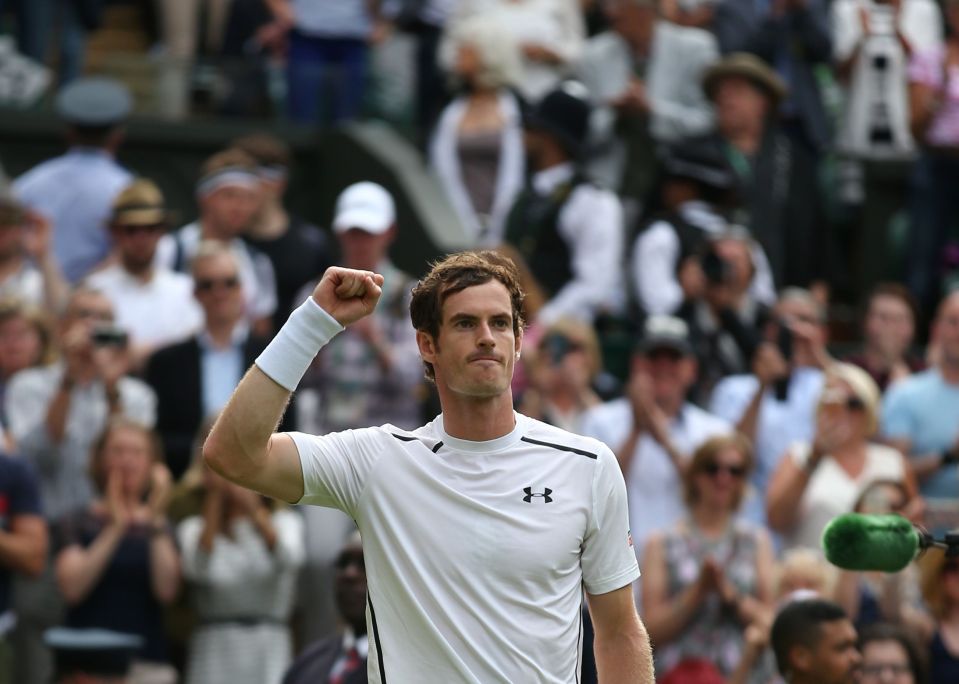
pixel 28 269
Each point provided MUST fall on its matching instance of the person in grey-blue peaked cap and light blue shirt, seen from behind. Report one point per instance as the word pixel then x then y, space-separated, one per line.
pixel 75 191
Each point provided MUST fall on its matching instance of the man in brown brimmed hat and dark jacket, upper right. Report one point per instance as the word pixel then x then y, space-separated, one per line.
pixel 775 177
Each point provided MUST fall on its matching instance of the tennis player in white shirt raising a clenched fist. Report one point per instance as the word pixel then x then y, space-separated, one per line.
pixel 481 528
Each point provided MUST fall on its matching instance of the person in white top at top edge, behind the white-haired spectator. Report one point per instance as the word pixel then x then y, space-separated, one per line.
pixel 550 34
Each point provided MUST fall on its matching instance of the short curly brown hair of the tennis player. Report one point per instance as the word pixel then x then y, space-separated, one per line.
pixel 454 274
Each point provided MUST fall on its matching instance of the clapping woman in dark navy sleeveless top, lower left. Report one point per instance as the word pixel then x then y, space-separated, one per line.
pixel 118 563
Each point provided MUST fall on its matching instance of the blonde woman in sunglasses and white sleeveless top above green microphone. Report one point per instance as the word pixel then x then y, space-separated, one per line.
pixel 815 482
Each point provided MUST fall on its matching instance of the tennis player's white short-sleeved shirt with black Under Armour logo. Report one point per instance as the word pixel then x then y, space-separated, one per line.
pixel 476 552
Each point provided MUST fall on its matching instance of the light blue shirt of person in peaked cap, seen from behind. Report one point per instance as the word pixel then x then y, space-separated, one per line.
pixel 76 192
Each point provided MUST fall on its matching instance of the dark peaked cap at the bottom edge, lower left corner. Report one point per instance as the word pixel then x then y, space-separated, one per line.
pixel 92 651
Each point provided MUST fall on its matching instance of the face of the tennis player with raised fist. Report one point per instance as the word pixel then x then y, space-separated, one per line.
pixel 475 351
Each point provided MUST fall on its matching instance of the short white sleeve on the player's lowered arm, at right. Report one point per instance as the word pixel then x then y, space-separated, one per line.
pixel 609 559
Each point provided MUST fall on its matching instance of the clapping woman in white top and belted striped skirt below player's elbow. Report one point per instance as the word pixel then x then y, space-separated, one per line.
pixel 241 558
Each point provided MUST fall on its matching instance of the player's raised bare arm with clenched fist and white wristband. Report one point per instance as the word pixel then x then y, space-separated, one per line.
pixel 242 446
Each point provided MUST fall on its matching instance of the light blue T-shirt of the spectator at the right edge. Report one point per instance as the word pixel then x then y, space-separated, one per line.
pixel 925 410
